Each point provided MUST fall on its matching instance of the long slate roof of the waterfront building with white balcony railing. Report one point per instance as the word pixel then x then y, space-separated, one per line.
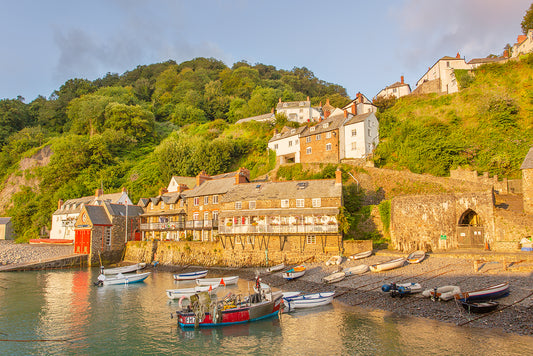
pixel 320 188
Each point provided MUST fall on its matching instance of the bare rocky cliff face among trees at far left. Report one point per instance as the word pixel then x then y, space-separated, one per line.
pixel 23 177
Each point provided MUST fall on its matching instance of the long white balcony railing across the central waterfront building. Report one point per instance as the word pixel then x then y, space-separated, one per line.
pixel 278 229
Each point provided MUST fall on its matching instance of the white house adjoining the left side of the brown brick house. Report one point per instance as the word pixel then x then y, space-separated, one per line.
pixel 286 144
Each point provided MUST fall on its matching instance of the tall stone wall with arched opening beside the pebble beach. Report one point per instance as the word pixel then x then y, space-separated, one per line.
pixel 418 222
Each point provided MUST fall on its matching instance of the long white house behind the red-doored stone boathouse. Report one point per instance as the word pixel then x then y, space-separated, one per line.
pixel 64 218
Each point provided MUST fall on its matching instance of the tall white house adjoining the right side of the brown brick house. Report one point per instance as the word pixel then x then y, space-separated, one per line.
pixel 359 136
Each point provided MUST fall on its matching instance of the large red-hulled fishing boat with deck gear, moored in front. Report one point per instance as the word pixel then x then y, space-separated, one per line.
pixel 211 314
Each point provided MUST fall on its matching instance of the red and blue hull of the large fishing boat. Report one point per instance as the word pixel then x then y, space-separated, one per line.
pixel 233 316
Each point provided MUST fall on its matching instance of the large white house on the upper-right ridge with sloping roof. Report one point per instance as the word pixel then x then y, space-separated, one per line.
pixel 440 77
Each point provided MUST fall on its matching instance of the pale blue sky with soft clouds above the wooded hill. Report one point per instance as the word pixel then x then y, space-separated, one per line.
pixel 364 46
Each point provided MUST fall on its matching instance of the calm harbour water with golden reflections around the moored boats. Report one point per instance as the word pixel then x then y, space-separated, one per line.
pixel 62 313
